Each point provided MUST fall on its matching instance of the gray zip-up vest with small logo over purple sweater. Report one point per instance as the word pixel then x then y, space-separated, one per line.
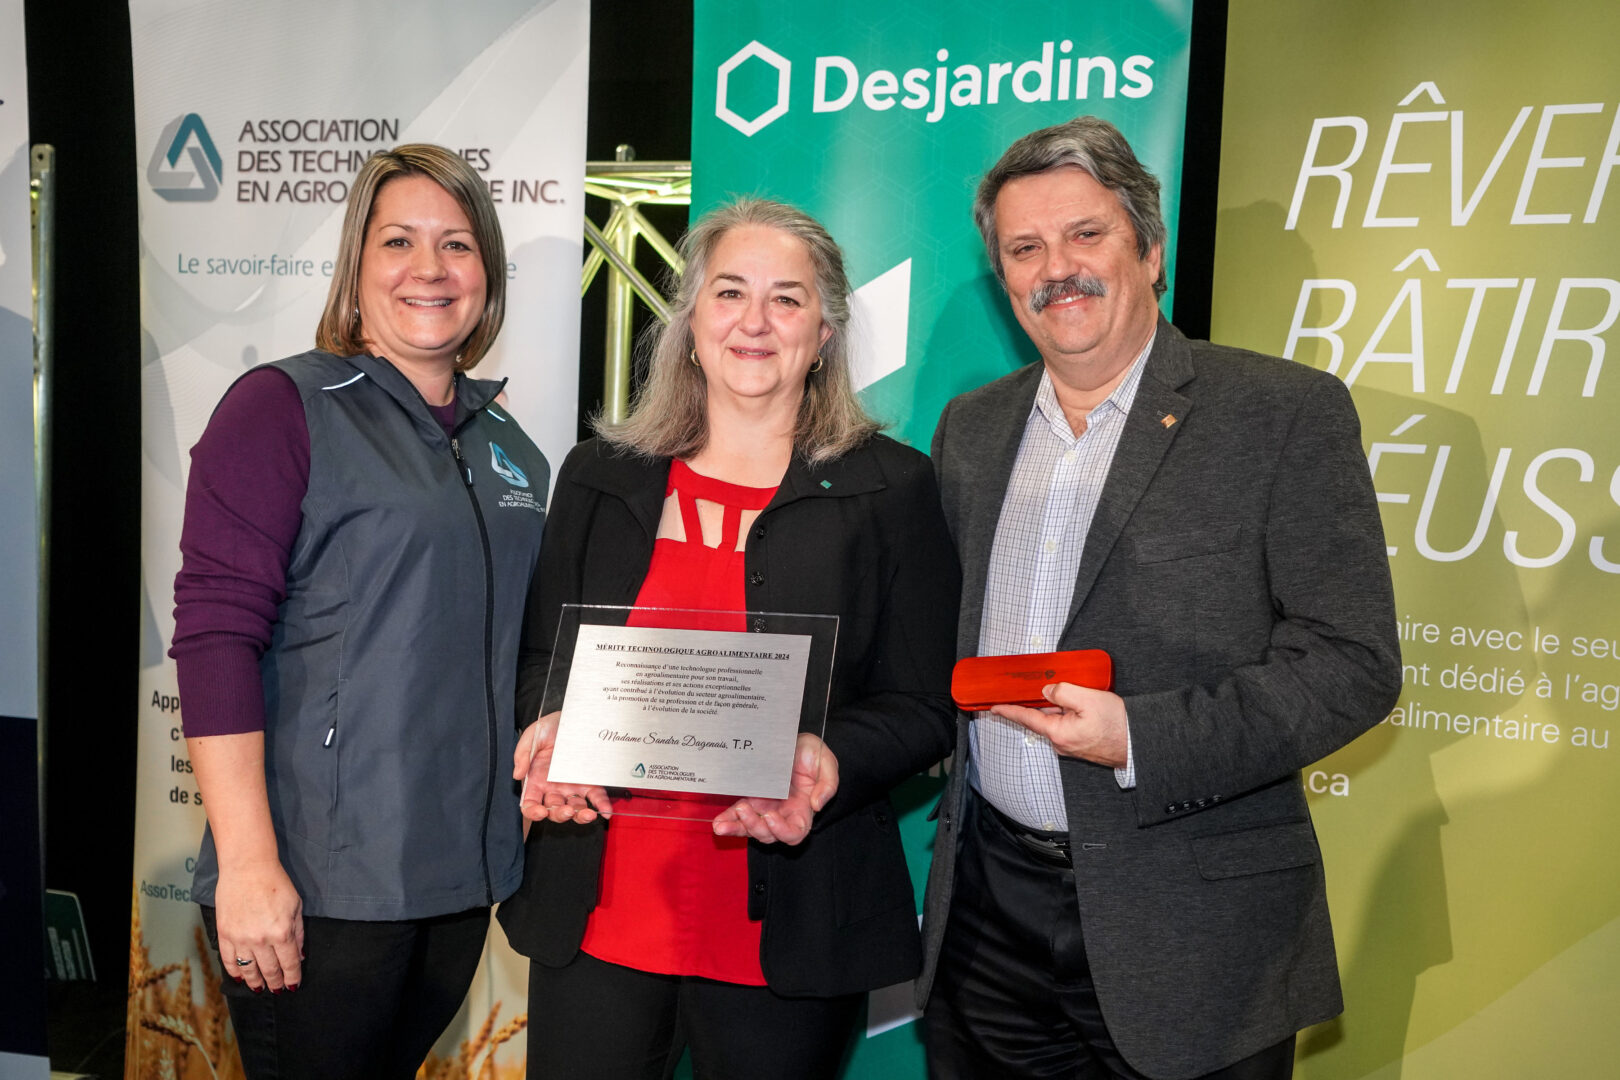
pixel 390 678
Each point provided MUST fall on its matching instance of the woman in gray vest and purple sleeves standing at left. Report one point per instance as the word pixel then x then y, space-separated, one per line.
pixel 362 524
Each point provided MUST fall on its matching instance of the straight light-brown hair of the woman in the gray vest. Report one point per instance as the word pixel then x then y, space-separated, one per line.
pixel 339 331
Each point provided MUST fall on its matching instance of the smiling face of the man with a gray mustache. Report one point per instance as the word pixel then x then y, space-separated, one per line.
pixel 1073 274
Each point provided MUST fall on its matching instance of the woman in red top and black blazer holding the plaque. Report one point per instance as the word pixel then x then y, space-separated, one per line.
pixel 748 480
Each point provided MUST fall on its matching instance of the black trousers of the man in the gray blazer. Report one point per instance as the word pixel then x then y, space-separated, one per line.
pixel 1013 995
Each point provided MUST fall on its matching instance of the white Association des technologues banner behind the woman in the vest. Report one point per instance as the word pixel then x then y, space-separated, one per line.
pixel 252 122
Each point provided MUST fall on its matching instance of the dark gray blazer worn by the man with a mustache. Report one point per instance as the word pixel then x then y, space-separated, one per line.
pixel 1237 574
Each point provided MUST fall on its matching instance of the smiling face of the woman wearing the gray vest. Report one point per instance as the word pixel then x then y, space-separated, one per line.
pixel 422 279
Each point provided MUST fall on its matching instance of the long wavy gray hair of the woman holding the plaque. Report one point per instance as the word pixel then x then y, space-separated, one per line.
pixel 670 417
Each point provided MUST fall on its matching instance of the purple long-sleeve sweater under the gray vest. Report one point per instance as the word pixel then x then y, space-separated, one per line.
pixel 250 472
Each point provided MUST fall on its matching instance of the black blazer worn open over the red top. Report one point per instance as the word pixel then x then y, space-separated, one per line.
pixel 861 538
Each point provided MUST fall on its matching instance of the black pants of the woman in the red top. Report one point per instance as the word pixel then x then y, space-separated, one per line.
pixel 597 1021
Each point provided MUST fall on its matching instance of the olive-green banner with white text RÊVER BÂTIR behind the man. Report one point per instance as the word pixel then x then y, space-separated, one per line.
pixel 1420 200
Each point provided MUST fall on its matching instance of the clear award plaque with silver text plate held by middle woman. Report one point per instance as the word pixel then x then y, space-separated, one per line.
pixel 680 713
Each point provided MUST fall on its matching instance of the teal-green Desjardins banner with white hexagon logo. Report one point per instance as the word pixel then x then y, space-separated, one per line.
pixel 882 124
